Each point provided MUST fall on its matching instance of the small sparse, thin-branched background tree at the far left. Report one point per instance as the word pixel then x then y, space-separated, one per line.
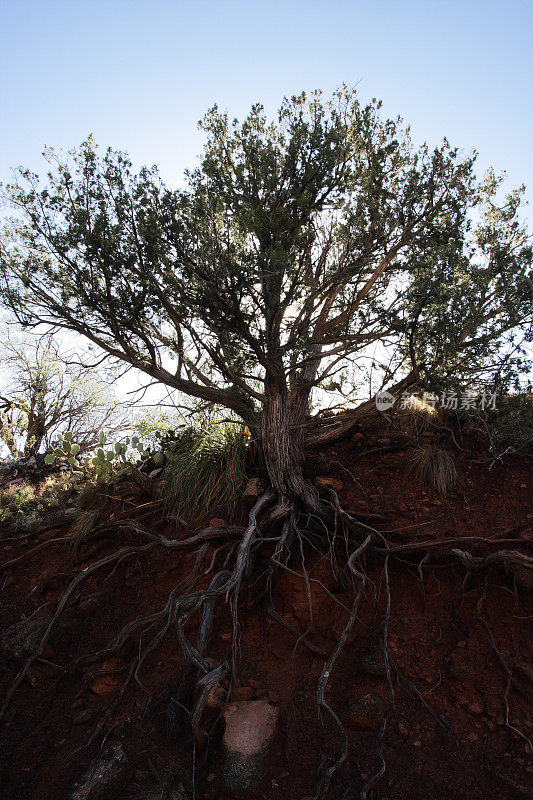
pixel 45 396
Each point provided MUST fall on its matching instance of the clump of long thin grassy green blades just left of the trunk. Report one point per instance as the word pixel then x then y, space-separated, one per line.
pixel 205 470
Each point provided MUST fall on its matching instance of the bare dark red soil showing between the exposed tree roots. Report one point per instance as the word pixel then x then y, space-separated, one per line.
pixel 443 653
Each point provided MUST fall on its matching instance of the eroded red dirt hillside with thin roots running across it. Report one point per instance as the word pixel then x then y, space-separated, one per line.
pixel 456 697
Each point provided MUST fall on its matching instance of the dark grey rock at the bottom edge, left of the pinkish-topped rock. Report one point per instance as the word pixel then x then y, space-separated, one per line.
pixel 105 776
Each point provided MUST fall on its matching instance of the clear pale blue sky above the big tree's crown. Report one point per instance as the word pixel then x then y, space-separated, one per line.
pixel 139 75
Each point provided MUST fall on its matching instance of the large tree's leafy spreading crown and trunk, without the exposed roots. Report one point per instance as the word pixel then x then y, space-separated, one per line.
pixel 295 246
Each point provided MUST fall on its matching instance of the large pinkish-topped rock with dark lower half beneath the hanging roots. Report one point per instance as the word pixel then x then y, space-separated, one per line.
pixel 250 728
